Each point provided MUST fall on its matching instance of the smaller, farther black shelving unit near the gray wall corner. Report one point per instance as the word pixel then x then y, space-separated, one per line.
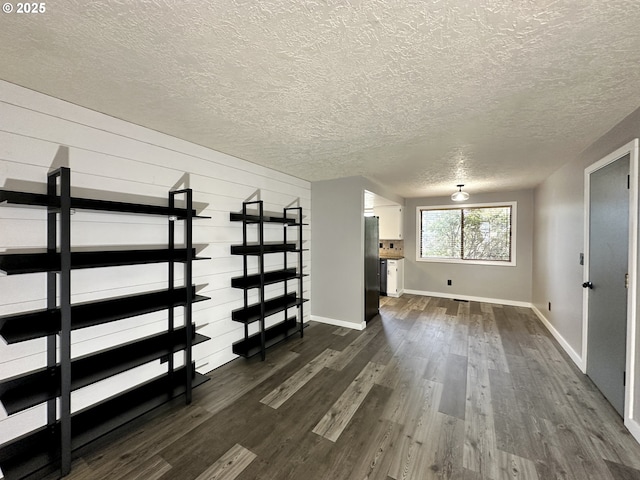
pixel 253 215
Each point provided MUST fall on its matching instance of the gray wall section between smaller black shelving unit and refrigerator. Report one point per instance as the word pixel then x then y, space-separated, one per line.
pixel 337 258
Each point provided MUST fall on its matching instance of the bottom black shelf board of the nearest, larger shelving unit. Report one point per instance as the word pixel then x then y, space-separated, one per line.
pixel 37 451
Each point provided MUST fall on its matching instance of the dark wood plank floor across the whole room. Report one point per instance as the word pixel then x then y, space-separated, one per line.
pixel 433 389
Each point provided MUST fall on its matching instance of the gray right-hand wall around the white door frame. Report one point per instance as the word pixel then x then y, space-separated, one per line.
pixel 559 235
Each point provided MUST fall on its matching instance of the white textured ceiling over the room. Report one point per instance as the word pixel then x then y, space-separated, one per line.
pixel 418 95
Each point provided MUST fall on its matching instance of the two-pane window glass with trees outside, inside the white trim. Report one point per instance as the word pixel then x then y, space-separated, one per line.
pixel 468 234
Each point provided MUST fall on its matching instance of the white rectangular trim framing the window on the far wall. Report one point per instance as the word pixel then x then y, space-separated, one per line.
pixel 514 236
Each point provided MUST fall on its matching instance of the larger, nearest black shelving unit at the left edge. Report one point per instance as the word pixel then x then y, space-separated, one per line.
pixel 50 447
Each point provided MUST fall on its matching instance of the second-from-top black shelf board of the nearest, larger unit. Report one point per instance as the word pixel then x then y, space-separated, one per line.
pixel 20 263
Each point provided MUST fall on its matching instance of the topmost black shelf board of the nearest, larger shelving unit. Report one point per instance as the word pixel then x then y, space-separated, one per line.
pixel 37 199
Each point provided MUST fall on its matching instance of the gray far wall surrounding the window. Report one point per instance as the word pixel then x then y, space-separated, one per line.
pixel 507 283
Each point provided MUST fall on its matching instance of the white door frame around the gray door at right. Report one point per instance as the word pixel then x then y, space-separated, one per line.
pixel 631 149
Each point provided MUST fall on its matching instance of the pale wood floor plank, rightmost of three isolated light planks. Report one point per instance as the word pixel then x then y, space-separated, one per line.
pixel 338 416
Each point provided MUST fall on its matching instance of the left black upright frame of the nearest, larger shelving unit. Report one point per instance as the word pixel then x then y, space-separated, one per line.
pixel 64 174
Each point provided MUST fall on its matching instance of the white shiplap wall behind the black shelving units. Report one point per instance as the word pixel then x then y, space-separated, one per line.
pixel 116 160
